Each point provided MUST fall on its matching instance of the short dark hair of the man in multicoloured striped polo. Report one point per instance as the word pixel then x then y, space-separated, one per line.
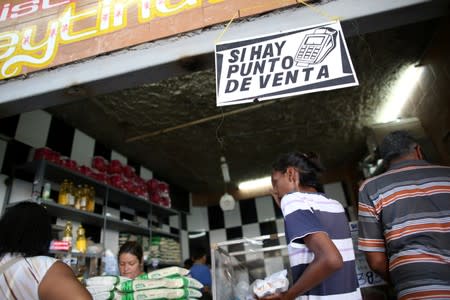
pixel 396 144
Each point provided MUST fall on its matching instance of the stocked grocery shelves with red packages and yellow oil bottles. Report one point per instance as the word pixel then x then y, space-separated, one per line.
pixel 92 202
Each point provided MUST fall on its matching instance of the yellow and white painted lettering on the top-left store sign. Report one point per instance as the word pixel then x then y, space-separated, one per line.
pixel 19 49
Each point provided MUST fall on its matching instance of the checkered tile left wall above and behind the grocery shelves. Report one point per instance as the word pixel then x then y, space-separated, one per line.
pixel 21 133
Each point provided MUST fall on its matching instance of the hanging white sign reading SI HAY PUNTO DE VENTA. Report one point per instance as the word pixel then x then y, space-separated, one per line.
pixel 300 61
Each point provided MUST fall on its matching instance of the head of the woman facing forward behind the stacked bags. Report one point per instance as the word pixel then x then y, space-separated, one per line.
pixel 131 263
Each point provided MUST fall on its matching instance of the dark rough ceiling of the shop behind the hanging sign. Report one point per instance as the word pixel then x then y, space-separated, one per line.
pixel 174 128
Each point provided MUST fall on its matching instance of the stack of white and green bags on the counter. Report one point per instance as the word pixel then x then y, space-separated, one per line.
pixel 167 283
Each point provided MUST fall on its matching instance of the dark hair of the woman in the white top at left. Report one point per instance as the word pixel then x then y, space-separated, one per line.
pixel 25 229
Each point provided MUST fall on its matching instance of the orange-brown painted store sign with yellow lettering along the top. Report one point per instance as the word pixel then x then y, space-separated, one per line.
pixel 39 34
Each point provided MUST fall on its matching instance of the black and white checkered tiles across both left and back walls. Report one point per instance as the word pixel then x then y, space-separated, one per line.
pixel 200 226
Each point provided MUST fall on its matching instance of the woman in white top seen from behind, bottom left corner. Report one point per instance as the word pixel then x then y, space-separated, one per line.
pixel 26 270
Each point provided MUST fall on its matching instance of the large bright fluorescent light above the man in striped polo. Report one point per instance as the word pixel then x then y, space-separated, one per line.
pixel 399 94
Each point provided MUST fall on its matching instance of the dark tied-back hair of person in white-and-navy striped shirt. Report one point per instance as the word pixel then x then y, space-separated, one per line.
pixel 307 164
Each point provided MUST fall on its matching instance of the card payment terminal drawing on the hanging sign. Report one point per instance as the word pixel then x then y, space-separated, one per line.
pixel 316 46
